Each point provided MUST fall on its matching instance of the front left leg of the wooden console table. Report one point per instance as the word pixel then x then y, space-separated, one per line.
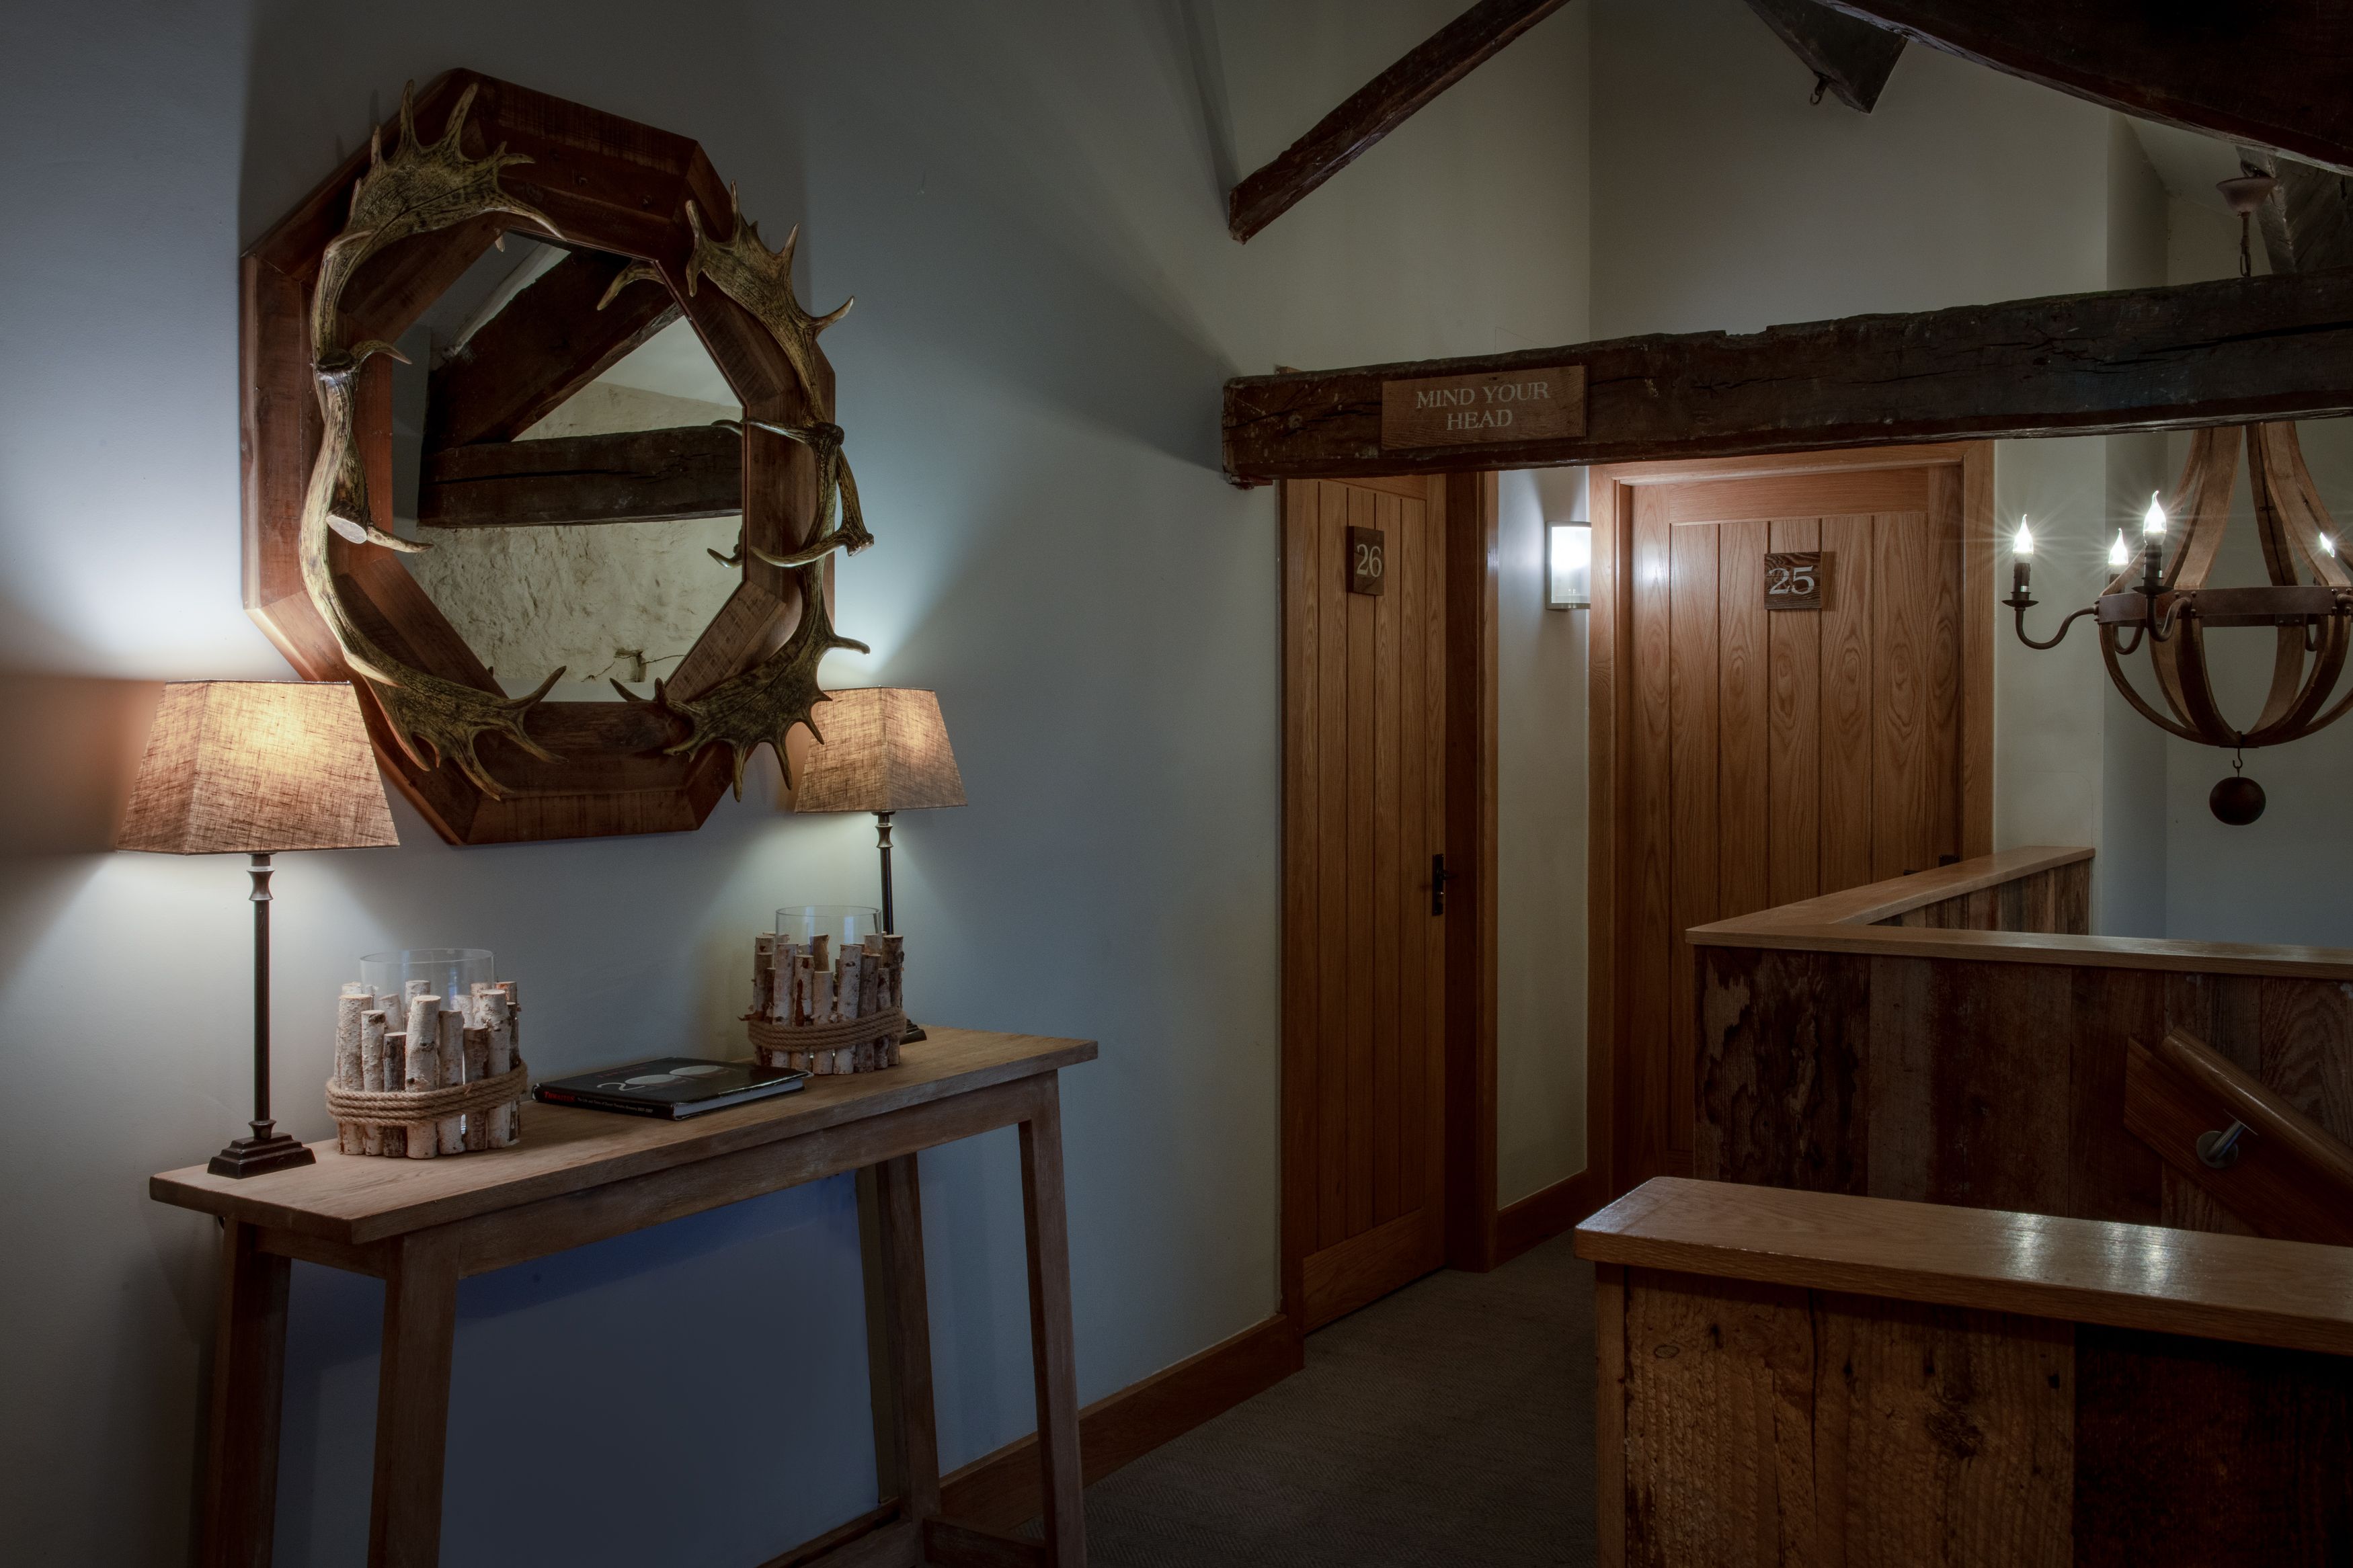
pixel 413 1402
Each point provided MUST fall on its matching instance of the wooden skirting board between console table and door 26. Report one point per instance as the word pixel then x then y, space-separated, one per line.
pixel 1001 1489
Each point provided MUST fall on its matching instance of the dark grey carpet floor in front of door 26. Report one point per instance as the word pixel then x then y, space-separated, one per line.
pixel 1448 1423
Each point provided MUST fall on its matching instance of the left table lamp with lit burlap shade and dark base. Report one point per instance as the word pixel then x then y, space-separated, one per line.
pixel 255 770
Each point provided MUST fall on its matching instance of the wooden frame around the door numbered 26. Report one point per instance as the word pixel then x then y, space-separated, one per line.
pixel 1465 511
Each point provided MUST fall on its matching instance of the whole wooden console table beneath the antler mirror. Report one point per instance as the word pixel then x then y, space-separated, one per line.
pixel 585 1177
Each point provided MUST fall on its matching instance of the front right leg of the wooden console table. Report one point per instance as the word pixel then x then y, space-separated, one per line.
pixel 1051 1329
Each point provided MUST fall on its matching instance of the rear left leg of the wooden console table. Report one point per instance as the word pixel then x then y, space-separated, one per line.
pixel 248 1395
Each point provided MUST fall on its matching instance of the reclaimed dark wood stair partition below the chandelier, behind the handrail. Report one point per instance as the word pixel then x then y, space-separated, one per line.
pixel 1959 1038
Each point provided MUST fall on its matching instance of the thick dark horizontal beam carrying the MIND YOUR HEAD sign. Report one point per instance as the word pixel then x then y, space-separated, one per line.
pixel 2074 366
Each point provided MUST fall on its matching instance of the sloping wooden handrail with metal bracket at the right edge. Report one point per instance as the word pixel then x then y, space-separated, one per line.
pixel 2286 1179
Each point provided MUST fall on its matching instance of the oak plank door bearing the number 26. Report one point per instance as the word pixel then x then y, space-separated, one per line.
pixel 1364 953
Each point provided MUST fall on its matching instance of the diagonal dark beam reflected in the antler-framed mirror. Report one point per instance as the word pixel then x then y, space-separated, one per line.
pixel 547 344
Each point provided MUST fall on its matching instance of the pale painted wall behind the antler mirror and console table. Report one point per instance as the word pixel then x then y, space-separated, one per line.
pixel 1029 206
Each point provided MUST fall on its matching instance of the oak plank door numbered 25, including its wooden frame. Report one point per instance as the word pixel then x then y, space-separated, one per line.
pixel 1764 756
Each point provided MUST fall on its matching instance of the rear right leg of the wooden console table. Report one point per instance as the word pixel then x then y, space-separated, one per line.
pixel 900 1336
